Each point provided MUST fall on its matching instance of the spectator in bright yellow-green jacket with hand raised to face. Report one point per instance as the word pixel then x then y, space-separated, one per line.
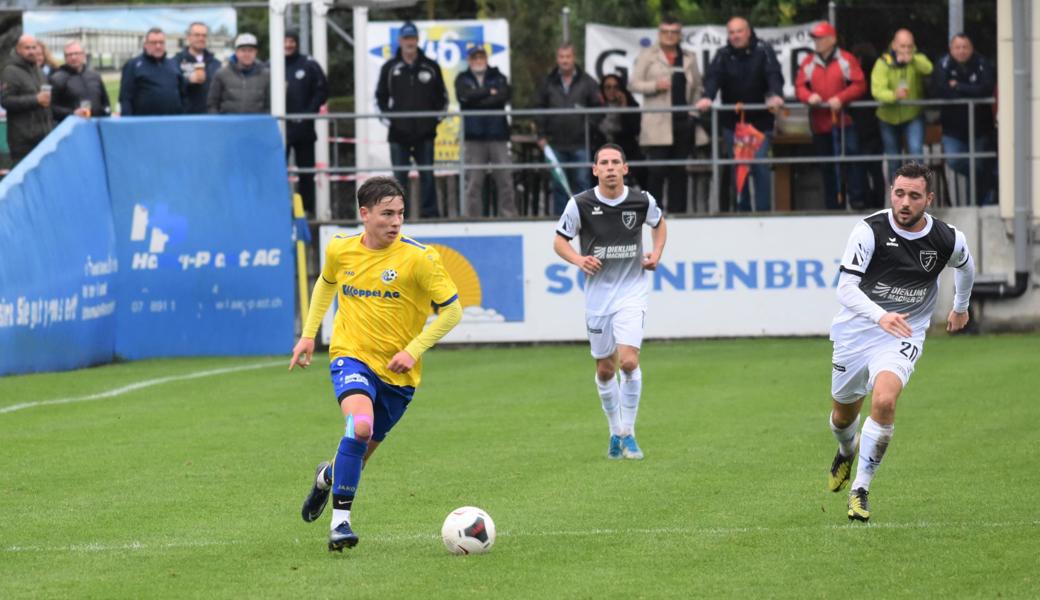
pixel 901 75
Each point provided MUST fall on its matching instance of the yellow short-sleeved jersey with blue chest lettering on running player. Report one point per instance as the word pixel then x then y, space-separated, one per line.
pixel 385 298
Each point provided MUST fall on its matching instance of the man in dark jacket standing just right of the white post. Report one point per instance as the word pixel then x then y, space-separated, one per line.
pixel 306 92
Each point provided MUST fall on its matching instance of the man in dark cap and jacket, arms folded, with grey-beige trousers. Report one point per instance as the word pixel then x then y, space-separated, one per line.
pixel 483 88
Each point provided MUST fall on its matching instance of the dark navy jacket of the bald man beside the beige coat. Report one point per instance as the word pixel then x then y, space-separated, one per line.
pixel 748 75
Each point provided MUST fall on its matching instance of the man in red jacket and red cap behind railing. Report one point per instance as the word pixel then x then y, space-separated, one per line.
pixel 827 82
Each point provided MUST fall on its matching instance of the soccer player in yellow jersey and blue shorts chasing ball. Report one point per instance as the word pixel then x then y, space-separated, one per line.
pixel 386 285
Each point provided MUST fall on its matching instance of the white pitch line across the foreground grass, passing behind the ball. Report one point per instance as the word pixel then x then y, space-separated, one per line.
pixel 391 538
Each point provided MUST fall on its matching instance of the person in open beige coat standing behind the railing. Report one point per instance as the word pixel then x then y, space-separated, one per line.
pixel 667 76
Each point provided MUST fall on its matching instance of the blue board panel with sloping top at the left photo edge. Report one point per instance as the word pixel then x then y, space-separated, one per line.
pixel 58 256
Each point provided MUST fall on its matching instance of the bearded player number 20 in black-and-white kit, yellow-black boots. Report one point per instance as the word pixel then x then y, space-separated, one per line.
pixel 889 289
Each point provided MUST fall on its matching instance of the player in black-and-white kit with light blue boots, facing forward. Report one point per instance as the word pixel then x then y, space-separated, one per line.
pixel 610 219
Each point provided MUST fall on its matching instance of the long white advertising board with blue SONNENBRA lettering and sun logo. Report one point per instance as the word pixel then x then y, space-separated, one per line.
pixel 719 278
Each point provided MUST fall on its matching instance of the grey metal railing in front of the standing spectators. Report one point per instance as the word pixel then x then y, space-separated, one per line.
pixel 716 163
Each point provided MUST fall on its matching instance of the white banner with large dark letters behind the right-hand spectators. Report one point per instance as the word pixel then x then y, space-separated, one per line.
pixel 614 49
